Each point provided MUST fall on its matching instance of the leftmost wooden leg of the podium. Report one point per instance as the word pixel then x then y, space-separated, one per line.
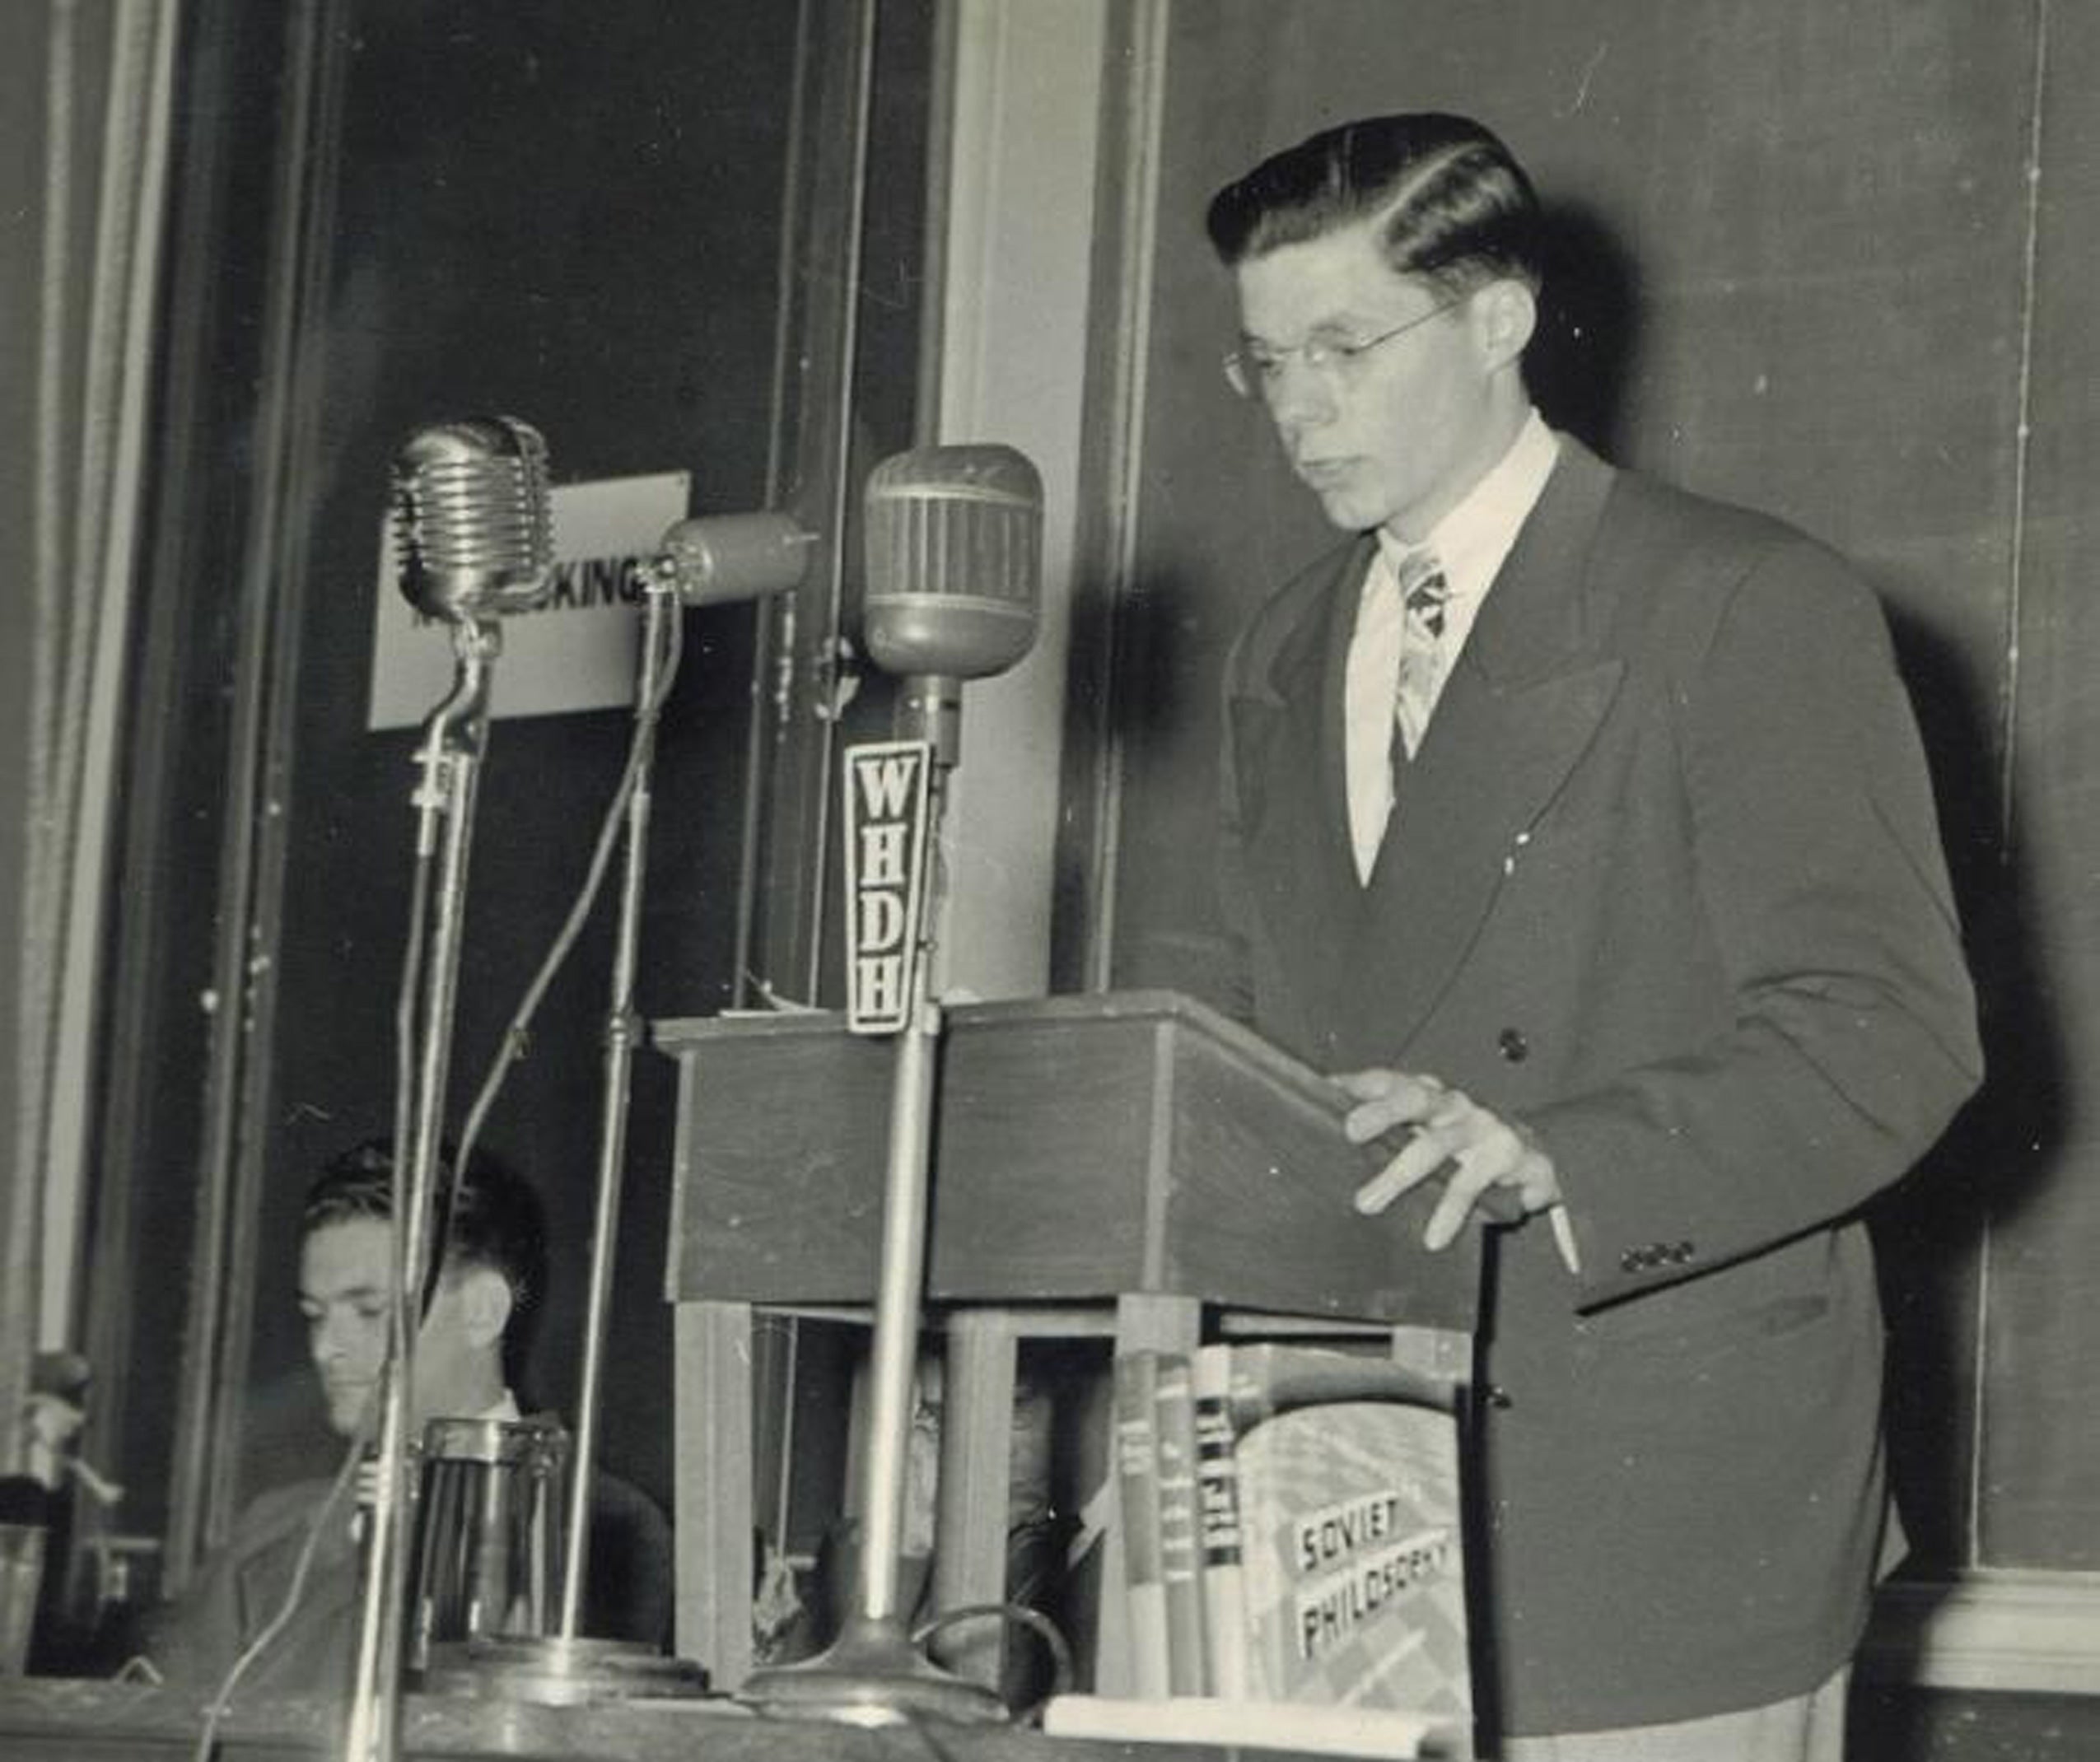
pixel 713 1507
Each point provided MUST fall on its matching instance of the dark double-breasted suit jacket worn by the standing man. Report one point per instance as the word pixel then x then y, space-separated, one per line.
pixel 1666 885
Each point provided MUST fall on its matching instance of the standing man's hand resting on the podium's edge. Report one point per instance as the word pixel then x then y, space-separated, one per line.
pixel 1494 1165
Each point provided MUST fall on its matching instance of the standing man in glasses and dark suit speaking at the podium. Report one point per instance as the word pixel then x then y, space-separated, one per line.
pixel 1582 828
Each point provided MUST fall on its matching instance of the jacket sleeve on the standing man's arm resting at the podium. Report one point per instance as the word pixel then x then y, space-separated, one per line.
pixel 1822 875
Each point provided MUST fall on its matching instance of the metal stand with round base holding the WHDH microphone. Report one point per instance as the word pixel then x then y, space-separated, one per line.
pixel 873 1675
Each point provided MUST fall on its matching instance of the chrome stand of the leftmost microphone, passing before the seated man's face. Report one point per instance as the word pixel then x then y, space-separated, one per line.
pixel 450 761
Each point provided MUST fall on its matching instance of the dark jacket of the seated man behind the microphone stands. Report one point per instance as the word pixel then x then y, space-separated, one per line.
pixel 245 1585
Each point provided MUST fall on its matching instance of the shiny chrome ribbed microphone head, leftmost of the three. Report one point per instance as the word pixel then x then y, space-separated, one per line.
pixel 474 518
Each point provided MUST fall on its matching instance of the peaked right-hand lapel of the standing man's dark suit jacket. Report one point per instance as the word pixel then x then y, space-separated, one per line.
pixel 1521 707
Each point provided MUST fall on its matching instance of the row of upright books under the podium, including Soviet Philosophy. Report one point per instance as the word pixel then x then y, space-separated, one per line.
pixel 1290 1532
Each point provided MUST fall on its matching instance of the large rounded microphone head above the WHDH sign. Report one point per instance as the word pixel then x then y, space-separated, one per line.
pixel 954 560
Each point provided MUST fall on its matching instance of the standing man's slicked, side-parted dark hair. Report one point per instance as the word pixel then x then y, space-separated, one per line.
pixel 1450 201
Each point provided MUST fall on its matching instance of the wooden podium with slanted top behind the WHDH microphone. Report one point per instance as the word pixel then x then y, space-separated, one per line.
pixel 1112 1165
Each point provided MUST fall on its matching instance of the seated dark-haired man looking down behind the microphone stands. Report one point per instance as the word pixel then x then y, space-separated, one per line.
pixel 492 1272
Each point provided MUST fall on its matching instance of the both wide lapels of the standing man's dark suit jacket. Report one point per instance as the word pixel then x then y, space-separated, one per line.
pixel 1519 711
